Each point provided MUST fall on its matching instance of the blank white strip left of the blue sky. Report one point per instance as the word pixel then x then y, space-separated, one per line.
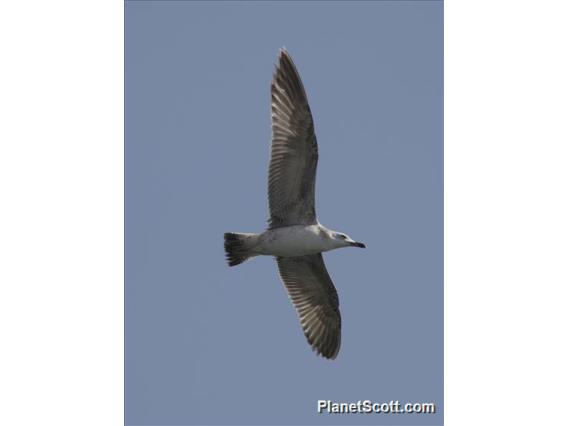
pixel 61 214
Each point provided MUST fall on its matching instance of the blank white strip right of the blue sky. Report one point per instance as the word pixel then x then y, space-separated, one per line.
pixel 506 207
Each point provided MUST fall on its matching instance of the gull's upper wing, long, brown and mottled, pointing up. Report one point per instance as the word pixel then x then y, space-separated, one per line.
pixel 294 150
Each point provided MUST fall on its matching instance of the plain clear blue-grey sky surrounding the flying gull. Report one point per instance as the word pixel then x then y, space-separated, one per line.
pixel 209 344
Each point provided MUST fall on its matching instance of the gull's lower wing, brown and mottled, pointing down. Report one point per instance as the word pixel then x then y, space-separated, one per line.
pixel 315 299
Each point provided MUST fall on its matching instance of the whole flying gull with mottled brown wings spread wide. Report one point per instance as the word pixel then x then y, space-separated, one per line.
pixel 294 235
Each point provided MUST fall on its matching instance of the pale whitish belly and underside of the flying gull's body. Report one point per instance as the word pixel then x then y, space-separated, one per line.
pixel 298 240
